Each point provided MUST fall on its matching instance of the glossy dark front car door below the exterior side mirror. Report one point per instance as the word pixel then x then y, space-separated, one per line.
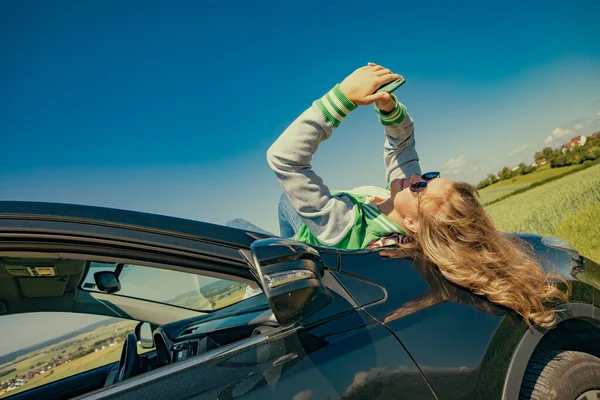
pixel 337 352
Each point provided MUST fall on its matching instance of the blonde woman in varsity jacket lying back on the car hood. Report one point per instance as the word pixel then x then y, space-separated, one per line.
pixel 425 215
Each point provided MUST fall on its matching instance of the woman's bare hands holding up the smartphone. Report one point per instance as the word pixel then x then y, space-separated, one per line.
pixel 359 86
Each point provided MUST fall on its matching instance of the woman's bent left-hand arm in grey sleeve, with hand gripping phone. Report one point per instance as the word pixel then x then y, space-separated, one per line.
pixel 329 218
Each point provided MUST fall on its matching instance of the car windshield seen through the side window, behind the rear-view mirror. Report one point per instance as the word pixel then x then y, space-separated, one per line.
pixel 182 289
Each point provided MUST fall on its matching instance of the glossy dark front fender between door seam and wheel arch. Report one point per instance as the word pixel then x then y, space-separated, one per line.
pixel 462 342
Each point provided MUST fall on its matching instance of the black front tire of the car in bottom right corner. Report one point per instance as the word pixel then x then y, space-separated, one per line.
pixel 561 375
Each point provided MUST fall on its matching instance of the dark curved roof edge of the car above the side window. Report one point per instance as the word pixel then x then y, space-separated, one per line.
pixel 134 228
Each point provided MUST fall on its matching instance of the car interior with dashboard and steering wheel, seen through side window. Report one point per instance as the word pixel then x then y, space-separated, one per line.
pixel 167 333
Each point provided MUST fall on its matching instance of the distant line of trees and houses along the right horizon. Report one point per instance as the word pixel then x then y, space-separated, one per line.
pixel 559 157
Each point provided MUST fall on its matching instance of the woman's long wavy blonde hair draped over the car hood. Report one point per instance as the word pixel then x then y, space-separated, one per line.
pixel 456 234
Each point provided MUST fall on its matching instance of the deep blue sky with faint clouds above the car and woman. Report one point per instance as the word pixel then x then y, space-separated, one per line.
pixel 169 107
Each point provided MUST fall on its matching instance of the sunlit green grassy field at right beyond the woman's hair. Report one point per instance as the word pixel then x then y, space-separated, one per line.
pixel 568 207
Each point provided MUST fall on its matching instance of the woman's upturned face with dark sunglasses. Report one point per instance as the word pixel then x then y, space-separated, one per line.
pixel 406 202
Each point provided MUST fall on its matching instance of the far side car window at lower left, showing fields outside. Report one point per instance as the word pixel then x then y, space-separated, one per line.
pixel 40 348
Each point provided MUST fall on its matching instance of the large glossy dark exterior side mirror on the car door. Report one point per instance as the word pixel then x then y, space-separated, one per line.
pixel 290 275
